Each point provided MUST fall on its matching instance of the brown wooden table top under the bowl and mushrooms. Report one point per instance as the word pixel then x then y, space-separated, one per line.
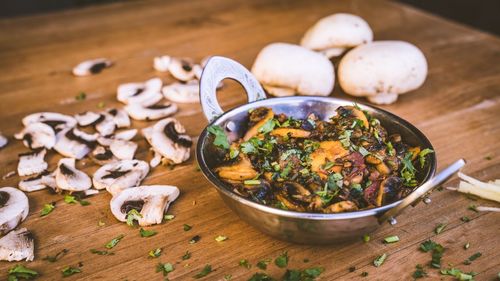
pixel 457 108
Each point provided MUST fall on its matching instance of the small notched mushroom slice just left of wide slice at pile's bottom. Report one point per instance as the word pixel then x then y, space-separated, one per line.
pixel 69 178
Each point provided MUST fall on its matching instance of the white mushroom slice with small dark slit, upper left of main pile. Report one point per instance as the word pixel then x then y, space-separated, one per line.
pixel 145 94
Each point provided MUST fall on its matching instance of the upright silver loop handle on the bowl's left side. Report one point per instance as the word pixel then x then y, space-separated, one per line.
pixel 218 69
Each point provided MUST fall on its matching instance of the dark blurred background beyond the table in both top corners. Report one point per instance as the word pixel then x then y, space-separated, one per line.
pixel 481 14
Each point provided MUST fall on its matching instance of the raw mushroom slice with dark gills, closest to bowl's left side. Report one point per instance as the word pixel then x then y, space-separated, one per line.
pixel 169 139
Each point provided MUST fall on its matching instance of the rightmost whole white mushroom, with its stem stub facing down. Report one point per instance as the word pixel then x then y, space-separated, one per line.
pixel 381 70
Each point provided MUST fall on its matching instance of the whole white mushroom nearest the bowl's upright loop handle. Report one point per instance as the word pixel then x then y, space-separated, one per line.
pixel 294 67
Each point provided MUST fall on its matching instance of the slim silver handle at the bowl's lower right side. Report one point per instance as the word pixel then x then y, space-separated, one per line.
pixel 422 190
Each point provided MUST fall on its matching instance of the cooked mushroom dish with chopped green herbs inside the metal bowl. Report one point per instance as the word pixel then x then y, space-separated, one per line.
pixel 346 163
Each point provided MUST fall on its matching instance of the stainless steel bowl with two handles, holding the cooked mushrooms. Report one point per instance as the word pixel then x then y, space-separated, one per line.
pixel 310 228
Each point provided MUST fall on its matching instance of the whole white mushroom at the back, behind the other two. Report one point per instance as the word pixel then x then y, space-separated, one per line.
pixel 338 31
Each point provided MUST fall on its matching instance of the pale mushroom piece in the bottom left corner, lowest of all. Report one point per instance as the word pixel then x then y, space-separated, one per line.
pixel 17 245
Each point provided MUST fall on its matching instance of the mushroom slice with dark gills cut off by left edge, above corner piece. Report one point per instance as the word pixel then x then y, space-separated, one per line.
pixel 14 208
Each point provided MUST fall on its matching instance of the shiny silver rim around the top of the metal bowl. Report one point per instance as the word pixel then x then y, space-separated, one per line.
pixel 219 185
